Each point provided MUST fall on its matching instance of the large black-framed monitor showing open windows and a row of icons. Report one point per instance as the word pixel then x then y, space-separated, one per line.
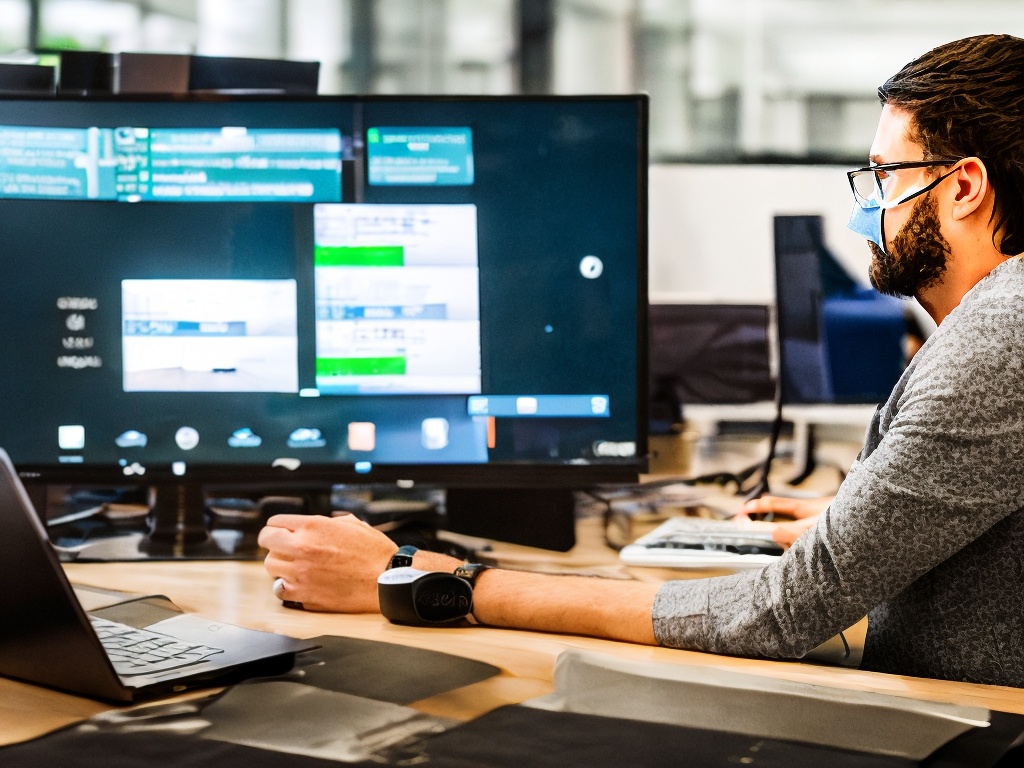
pixel 312 291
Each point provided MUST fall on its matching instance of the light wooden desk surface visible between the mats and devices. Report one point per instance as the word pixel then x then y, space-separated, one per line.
pixel 240 593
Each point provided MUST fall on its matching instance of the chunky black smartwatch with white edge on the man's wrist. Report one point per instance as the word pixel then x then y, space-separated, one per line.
pixel 423 598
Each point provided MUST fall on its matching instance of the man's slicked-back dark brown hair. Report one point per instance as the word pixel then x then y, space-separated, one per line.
pixel 966 99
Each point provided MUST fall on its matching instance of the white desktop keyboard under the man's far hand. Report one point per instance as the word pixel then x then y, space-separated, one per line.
pixel 704 543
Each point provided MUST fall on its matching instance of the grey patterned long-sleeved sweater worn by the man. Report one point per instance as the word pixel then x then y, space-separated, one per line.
pixel 926 535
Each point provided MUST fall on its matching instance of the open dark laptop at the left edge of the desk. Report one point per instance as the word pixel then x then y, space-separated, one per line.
pixel 49 638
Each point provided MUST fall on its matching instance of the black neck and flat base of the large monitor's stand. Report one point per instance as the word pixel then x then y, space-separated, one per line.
pixel 180 530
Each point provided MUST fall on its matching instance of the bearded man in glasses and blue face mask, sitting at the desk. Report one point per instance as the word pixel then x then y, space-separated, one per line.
pixel 926 534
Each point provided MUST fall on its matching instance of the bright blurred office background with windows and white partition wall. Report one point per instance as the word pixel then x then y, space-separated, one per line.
pixel 757 106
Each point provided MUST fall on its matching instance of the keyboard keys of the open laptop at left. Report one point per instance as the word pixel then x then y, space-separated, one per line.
pixel 135 652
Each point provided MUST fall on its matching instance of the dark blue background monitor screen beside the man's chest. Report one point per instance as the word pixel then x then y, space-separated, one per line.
pixel 838 343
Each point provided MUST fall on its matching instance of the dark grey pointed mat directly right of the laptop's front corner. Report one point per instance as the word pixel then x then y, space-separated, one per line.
pixel 388 672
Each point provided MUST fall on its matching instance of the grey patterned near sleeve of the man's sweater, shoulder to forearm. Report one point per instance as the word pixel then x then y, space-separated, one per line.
pixel 946 465
